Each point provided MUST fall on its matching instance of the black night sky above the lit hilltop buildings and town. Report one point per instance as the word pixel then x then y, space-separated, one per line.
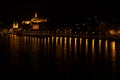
pixel 19 10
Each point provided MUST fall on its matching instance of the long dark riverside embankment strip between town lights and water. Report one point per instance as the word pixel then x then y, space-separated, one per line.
pixel 75 35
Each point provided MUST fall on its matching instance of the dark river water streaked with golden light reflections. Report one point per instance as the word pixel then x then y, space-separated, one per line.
pixel 59 58
